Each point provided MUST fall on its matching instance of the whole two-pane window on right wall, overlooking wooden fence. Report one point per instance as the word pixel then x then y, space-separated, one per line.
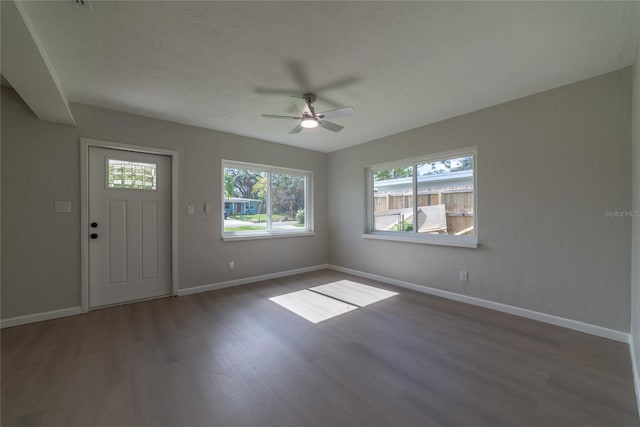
pixel 428 199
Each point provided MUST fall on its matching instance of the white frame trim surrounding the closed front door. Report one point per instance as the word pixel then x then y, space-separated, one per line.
pixel 85 143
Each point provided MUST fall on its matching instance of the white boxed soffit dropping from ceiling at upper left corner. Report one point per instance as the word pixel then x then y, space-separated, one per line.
pixel 27 67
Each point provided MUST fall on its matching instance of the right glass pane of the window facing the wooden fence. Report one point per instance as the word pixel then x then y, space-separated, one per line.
pixel 445 197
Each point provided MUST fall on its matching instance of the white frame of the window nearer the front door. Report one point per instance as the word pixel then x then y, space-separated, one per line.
pixel 269 233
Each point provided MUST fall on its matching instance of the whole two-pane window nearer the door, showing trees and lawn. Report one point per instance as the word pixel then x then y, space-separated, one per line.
pixel 265 201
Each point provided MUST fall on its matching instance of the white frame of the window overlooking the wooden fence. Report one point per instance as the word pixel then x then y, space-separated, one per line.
pixel 414 236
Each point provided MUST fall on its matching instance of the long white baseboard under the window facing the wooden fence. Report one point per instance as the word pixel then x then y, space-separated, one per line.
pixel 505 308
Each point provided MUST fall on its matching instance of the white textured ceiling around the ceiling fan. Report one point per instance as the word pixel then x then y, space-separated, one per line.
pixel 399 64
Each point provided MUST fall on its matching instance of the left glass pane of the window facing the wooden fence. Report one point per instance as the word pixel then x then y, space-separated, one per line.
pixel 393 199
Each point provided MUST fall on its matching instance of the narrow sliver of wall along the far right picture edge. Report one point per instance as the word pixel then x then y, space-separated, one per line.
pixel 635 257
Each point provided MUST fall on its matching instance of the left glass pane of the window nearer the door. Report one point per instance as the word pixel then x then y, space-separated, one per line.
pixel 244 199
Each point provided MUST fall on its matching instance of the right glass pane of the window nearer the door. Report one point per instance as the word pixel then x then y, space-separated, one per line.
pixel 287 202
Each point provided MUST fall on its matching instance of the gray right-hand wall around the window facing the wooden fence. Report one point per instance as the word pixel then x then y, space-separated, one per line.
pixel 548 167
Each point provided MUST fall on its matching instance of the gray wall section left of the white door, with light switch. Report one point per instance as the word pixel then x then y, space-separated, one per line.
pixel 40 249
